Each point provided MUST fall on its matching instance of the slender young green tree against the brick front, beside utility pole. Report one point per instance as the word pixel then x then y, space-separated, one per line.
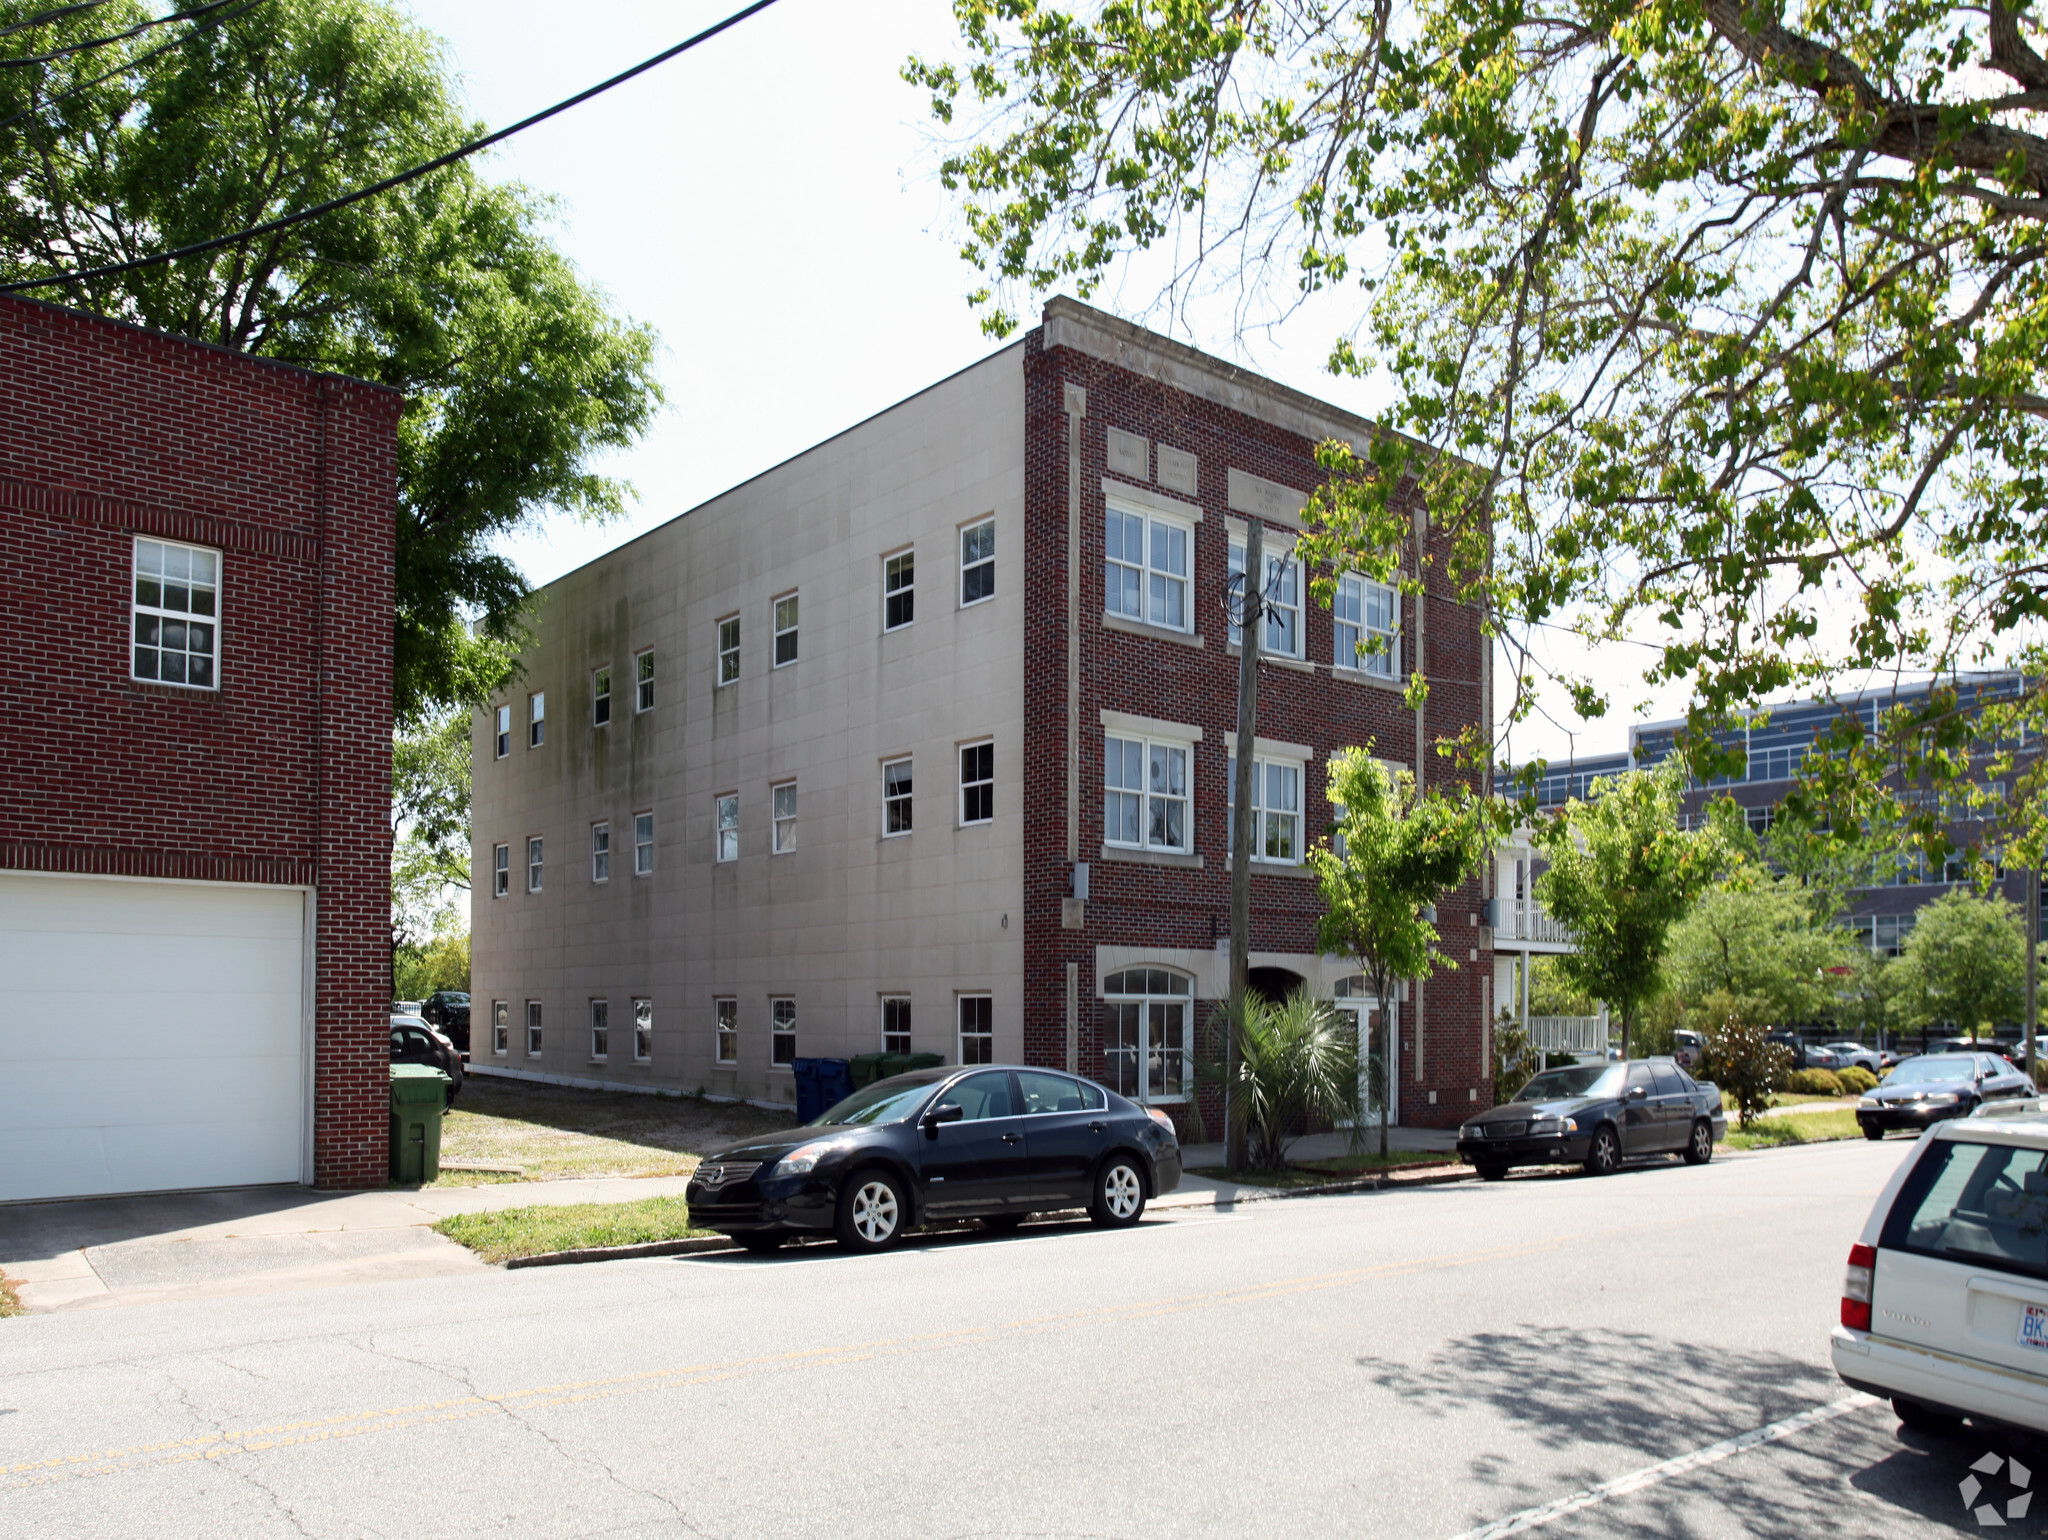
pixel 1394 853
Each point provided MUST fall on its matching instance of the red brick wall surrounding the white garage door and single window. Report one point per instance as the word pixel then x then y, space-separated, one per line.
pixel 282 775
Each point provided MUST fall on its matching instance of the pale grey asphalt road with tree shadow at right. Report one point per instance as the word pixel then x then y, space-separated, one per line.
pixel 1414 1365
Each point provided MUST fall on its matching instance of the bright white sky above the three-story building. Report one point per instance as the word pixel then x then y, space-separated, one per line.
pixel 771 204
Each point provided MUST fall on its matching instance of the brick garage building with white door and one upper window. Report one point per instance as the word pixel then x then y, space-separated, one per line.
pixel 196 765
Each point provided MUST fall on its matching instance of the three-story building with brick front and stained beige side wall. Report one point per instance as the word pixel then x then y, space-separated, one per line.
pixel 921 740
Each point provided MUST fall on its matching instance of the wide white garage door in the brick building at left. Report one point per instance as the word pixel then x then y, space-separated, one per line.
pixel 151 1035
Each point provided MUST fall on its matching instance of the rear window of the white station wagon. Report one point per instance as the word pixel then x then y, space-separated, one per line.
pixel 1986 1205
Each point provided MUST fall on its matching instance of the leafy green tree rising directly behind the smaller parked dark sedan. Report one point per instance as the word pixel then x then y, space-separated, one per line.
pixel 1621 875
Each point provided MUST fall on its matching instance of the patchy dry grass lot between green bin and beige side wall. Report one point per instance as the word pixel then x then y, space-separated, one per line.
pixel 552 1131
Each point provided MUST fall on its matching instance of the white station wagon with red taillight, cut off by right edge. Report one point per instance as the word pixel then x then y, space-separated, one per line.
pixel 1945 1308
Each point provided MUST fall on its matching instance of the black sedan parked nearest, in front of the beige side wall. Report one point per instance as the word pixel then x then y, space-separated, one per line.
pixel 986 1142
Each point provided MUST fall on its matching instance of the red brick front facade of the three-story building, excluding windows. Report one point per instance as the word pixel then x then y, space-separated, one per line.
pixel 1177 908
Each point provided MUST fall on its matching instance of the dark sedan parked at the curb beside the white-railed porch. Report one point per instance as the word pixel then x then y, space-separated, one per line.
pixel 1598 1117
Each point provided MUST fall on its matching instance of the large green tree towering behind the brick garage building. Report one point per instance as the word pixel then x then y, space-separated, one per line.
pixel 515 374
